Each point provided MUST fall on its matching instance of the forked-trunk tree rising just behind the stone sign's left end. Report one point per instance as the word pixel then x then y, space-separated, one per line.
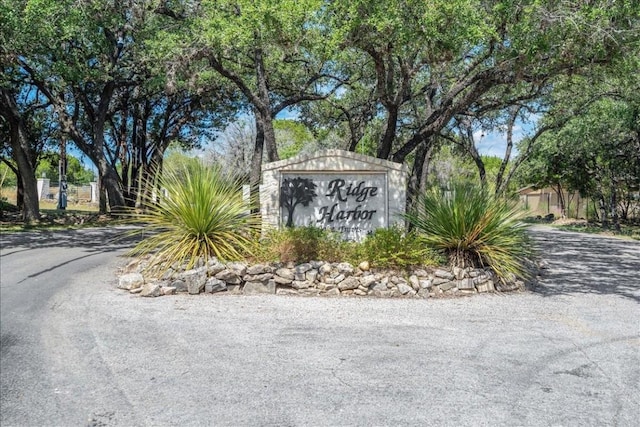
pixel 272 52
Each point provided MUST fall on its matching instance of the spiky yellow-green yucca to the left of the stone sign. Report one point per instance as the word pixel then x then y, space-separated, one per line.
pixel 200 215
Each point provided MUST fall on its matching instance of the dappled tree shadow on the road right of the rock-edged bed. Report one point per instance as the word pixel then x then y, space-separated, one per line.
pixel 587 264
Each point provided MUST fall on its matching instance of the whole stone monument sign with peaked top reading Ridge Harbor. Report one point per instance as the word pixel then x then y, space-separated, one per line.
pixel 333 189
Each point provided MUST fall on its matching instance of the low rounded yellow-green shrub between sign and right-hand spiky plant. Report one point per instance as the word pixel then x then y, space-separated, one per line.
pixel 393 248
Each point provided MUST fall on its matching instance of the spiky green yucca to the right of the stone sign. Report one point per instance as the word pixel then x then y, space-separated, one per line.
pixel 475 228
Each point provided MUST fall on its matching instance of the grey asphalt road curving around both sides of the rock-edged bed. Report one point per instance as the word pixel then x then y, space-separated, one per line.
pixel 76 351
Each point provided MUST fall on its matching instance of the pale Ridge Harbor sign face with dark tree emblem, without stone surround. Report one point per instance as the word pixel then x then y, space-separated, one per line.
pixel 353 204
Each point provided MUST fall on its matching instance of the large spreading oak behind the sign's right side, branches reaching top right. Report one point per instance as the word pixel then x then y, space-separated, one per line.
pixel 439 59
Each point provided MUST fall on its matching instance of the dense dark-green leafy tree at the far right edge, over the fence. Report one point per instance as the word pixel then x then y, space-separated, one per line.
pixel 597 152
